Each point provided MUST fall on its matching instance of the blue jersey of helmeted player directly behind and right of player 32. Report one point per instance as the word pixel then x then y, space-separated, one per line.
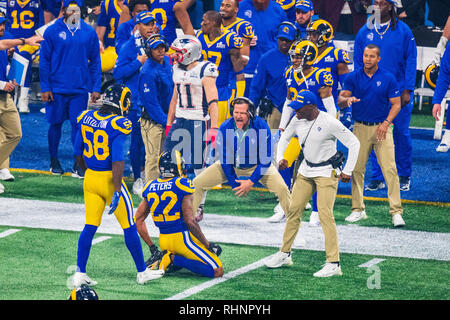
pixel 329 60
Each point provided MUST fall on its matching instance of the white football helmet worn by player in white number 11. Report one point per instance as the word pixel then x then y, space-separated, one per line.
pixel 187 49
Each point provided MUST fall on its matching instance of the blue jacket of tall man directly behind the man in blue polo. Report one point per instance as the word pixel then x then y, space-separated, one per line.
pixel 398 52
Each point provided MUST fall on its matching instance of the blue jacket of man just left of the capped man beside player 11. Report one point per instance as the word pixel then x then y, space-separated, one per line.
pixel 126 70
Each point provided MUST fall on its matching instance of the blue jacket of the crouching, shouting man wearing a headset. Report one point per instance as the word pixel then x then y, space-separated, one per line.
pixel 244 149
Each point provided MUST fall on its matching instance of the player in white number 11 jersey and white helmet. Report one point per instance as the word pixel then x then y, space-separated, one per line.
pixel 194 104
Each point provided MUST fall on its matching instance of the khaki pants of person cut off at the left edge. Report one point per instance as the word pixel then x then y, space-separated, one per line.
pixel 10 127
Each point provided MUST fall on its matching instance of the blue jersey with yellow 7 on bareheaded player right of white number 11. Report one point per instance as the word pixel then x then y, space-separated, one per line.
pixel 217 51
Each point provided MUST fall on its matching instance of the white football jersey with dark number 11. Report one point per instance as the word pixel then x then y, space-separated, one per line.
pixel 192 102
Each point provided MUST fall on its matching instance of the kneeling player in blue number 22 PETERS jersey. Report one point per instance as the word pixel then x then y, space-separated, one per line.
pixel 169 200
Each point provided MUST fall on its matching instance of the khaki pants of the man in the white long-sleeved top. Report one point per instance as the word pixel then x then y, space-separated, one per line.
pixel 302 192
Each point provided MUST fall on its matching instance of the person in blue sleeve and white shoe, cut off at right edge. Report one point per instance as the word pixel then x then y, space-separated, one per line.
pixel 442 84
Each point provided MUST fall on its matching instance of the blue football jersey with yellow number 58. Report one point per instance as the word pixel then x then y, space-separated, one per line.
pixel 103 138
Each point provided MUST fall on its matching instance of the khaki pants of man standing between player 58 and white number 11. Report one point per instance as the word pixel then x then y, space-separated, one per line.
pixel 153 135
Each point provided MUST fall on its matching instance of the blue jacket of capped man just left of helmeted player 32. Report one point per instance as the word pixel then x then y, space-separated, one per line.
pixel 269 78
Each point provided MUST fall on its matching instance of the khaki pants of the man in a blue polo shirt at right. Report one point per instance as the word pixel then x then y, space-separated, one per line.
pixel 385 153
